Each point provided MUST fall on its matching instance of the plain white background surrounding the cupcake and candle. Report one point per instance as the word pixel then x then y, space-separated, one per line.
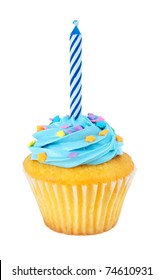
pixel 123 82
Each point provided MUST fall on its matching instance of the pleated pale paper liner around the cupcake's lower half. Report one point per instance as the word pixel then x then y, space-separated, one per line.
pixel 80 209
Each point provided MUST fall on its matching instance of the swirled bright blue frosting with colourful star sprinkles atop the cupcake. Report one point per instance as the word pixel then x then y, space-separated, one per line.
pixel 67 142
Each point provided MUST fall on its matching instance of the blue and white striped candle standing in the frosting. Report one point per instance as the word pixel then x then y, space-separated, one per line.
pixel 75 72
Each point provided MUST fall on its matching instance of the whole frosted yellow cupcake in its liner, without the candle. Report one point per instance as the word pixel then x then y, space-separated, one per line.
pixel 78 174
